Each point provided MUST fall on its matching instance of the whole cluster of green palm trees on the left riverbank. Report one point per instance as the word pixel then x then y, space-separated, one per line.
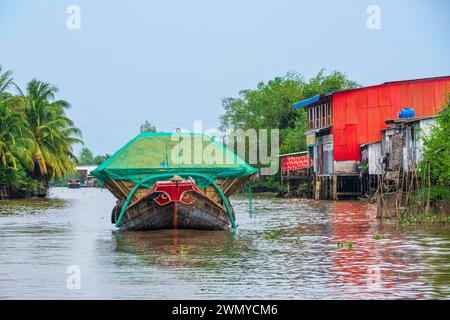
pixel 36 136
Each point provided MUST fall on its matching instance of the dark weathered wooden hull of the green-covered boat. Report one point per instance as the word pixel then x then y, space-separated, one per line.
pixel 201 214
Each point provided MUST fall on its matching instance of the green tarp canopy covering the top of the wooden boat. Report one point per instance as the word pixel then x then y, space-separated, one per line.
pixel 155 153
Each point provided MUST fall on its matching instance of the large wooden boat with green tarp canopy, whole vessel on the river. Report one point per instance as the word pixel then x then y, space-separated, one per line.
pixel 173 180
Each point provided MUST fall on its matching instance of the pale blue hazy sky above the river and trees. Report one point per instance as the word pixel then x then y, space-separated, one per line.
pixel 172 62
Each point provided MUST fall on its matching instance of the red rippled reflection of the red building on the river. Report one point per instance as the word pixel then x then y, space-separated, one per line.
pixel 378 267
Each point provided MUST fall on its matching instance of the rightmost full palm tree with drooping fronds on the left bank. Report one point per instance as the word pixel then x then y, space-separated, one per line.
pixel 52 132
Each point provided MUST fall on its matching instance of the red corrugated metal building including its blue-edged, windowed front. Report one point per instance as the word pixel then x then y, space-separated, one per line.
pixel 338 123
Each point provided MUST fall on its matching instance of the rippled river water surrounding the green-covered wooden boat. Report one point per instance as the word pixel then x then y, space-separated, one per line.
pixel 287 250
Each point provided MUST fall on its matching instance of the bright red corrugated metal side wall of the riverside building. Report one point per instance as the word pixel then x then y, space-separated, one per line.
pixel 359 114
